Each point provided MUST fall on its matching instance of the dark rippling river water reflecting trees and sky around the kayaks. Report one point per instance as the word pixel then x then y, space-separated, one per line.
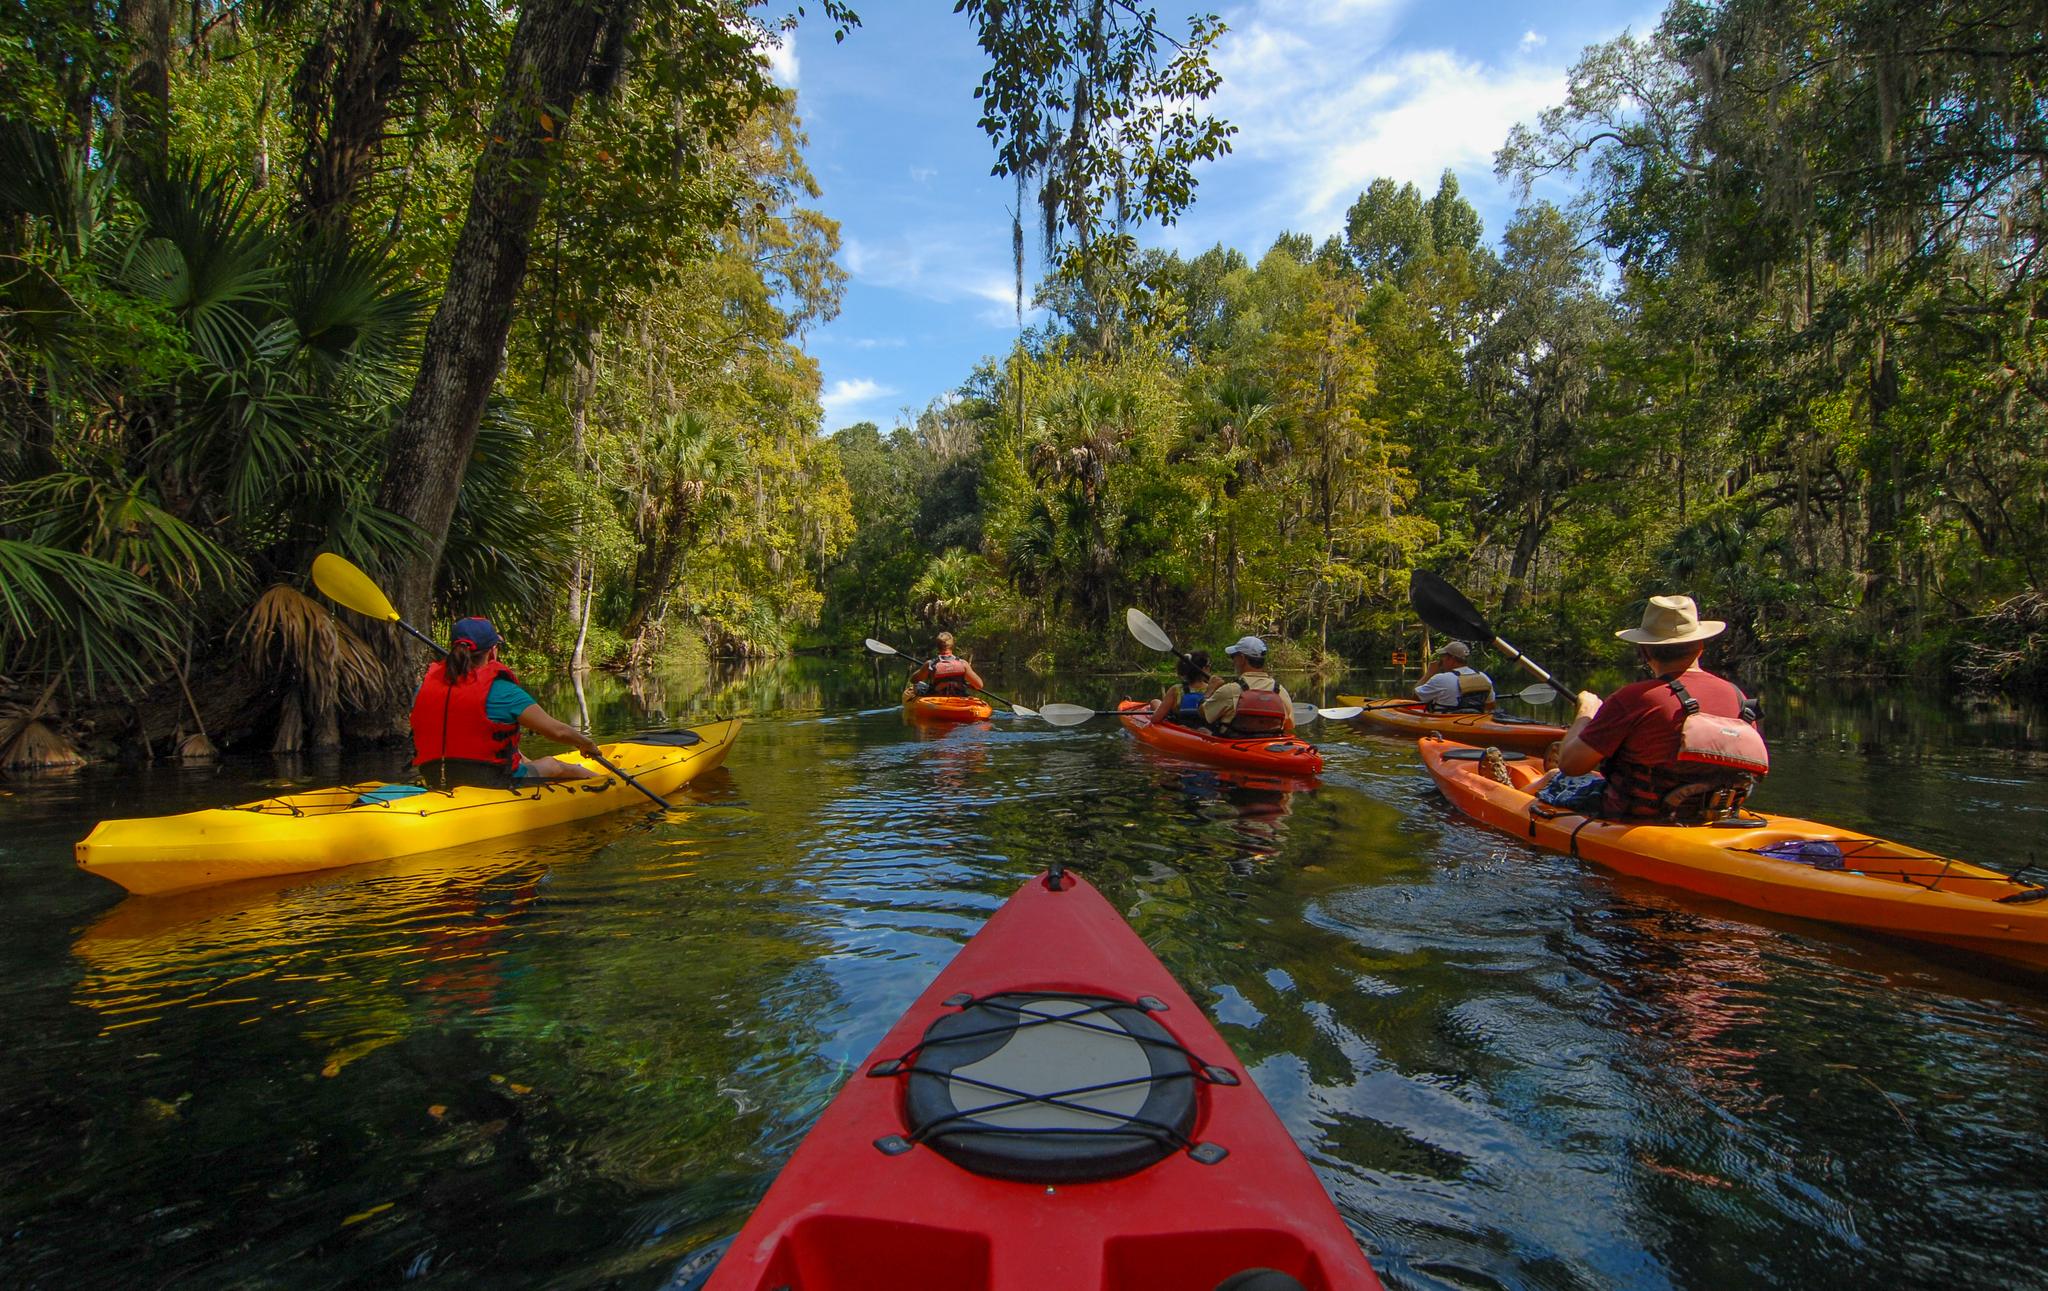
pixel 572 1058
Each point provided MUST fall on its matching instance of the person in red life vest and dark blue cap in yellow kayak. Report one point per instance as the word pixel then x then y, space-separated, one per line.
pixel 470 714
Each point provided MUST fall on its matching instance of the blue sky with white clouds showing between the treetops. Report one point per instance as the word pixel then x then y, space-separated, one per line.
pixel 1326 97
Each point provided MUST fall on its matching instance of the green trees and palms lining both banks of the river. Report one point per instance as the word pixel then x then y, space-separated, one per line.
pixel 511 308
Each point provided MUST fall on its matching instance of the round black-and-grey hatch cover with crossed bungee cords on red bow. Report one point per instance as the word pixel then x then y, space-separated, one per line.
pixel 1043 1087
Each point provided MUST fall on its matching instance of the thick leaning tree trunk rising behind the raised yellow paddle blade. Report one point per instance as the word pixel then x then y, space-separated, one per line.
pixel 466 341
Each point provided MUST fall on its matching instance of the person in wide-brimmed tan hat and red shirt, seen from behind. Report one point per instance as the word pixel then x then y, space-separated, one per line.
pixel 1682 747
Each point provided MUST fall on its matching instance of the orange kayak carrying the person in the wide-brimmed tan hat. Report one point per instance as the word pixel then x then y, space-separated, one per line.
pixel 1785 866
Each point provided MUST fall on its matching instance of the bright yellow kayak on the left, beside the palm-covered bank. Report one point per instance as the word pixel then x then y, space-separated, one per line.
pixel 327 829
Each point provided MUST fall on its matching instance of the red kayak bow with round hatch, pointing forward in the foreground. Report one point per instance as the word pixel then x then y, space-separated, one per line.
pixel 1054 1114
